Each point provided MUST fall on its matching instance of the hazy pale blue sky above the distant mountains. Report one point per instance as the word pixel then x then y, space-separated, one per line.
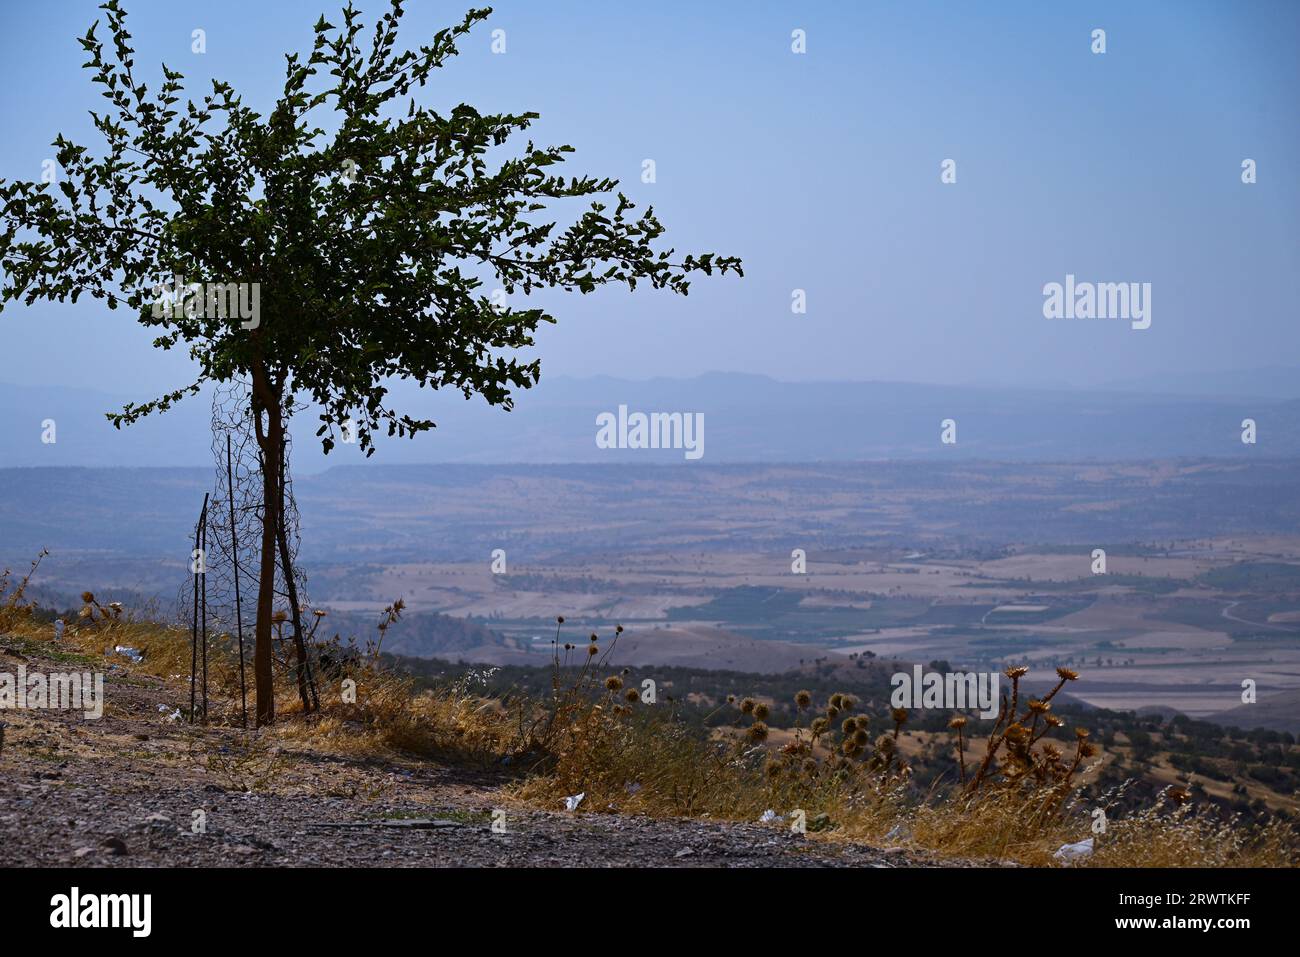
pixel 822 171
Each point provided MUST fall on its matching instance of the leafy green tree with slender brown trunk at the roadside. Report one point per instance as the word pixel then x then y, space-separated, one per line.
pixel 322 265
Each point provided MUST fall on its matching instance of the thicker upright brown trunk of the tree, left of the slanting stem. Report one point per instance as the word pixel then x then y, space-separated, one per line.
pixel 271 434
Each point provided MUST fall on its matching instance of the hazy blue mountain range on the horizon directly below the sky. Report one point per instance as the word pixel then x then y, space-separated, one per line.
pixel 746 419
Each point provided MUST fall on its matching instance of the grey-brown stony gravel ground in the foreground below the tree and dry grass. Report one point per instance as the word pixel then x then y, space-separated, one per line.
pixel 140 789
